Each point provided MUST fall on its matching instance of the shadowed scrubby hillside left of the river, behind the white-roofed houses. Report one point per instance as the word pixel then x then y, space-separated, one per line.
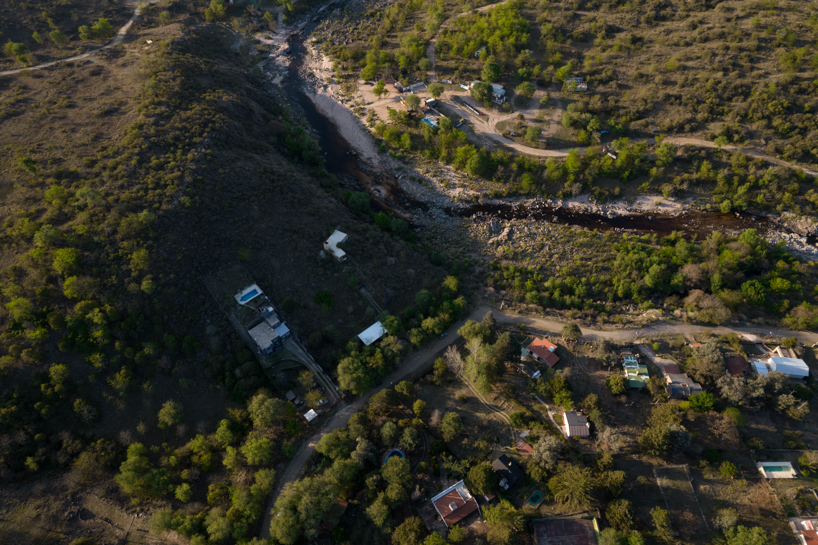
pixel 127 177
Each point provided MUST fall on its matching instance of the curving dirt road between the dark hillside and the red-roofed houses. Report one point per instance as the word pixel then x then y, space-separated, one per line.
pixel 417 364
